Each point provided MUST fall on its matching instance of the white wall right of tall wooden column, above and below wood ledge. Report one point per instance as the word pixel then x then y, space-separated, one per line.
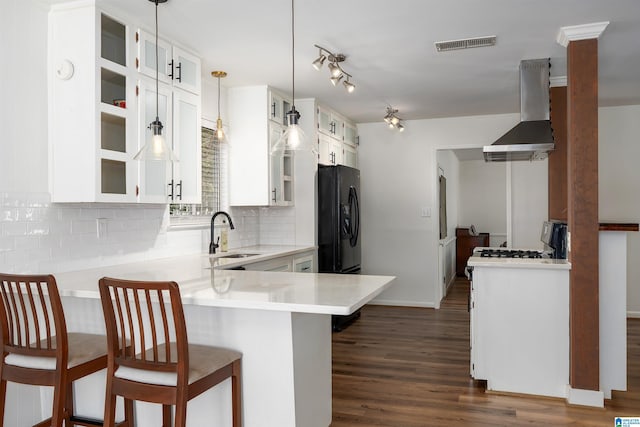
pixel 619 180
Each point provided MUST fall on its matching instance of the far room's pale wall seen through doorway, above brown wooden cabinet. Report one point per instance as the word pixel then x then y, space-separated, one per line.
pixel 483 198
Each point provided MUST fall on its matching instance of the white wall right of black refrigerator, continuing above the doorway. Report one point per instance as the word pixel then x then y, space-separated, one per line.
pixel 398 173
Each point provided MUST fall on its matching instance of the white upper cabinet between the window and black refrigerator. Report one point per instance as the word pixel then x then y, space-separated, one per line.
pixel 256 177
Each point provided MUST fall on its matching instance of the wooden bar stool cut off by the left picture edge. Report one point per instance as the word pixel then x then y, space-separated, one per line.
pixel 37 350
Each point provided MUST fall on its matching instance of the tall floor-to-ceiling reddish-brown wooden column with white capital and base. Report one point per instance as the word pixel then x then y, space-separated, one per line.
pixel 582 155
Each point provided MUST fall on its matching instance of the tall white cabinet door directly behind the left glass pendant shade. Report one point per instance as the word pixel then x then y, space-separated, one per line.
pixel 154 175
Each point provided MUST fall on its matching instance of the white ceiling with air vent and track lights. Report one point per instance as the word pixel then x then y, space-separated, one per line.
pixel 390 48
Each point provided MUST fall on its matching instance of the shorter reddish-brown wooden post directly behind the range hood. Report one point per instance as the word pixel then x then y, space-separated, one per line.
pixel 558 178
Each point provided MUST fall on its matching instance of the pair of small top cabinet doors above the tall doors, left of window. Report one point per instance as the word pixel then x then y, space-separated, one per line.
pixel 176 66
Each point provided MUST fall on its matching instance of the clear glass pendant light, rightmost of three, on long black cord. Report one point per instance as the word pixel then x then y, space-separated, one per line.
pixel 293 138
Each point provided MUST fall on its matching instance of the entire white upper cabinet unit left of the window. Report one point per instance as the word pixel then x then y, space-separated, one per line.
pixel 100 107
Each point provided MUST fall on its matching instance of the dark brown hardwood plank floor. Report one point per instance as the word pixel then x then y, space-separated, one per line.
pixel 406 367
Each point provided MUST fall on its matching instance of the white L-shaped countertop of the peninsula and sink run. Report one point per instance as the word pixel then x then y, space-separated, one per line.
pixel 201 283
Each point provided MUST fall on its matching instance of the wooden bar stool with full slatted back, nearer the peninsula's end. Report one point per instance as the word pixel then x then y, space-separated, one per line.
pixel 149 357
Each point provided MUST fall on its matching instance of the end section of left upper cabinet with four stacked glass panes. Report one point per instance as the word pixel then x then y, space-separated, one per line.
pixel 91 107
